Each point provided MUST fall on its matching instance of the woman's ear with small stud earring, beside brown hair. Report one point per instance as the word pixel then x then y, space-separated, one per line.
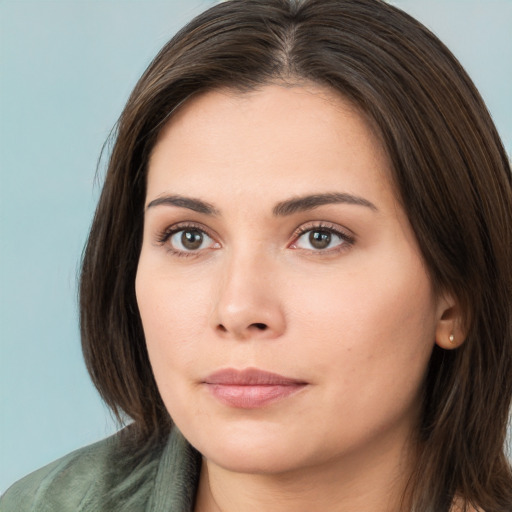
pixel 450 332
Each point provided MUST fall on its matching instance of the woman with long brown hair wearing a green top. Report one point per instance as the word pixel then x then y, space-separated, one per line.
pixel 302 255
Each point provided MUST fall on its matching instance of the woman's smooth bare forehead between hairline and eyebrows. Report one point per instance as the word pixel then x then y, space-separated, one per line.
pixel 302 139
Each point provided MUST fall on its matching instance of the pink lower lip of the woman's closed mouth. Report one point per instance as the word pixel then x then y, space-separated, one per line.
pixel 252 397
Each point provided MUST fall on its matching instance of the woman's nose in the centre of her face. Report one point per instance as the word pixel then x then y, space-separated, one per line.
pixel 247 304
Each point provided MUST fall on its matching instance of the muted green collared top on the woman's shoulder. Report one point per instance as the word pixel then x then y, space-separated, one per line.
pixel 94 479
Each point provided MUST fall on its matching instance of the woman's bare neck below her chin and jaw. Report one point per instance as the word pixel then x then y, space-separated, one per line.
pixel 364 483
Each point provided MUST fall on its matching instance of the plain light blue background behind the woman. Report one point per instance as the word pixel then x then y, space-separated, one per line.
pixel 66 69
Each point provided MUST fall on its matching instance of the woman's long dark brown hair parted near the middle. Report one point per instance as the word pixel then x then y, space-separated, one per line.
pixel 449 168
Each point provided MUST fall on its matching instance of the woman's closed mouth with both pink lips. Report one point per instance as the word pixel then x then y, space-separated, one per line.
pixel 251 388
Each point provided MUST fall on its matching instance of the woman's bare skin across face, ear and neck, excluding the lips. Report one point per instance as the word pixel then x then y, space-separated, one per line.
pixel 356 321
